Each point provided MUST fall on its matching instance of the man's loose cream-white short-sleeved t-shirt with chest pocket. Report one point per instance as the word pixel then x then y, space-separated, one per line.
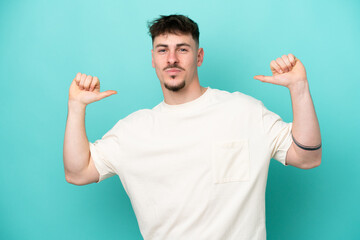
pixel 196 170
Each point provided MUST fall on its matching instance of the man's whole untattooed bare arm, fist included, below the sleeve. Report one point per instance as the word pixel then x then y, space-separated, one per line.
pixel 78 165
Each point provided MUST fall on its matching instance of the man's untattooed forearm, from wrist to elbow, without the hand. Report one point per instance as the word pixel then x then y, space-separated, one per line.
pixel 76 152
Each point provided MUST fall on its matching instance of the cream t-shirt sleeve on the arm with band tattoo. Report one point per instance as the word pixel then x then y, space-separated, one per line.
pixel 278 134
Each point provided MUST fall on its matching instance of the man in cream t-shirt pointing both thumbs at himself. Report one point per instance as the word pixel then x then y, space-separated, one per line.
pixel 195 166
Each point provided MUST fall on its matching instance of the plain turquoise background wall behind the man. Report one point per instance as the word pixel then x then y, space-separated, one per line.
pixel 43 44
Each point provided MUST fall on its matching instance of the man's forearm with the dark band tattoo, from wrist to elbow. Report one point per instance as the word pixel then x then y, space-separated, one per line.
pixel 305 128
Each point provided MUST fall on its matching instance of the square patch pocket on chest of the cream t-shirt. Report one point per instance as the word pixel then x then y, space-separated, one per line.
pixel 230 161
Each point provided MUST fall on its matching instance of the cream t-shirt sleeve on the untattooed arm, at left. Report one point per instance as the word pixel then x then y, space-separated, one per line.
pixel 104 153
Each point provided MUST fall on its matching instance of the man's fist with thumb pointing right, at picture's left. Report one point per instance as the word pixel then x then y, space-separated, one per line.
pixel 85 89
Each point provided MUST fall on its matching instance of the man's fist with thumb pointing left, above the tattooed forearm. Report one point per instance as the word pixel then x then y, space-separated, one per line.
pixel 287 71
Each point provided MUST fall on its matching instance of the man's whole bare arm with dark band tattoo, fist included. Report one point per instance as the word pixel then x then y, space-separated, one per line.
pixel 288 71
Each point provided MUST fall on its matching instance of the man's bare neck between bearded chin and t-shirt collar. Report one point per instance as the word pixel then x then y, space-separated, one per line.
pixel 186 94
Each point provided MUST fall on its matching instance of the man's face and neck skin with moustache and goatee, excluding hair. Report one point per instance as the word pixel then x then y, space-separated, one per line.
pixel 176 59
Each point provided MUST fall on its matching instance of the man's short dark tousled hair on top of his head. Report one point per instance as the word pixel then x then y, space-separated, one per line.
pixel 175 24
